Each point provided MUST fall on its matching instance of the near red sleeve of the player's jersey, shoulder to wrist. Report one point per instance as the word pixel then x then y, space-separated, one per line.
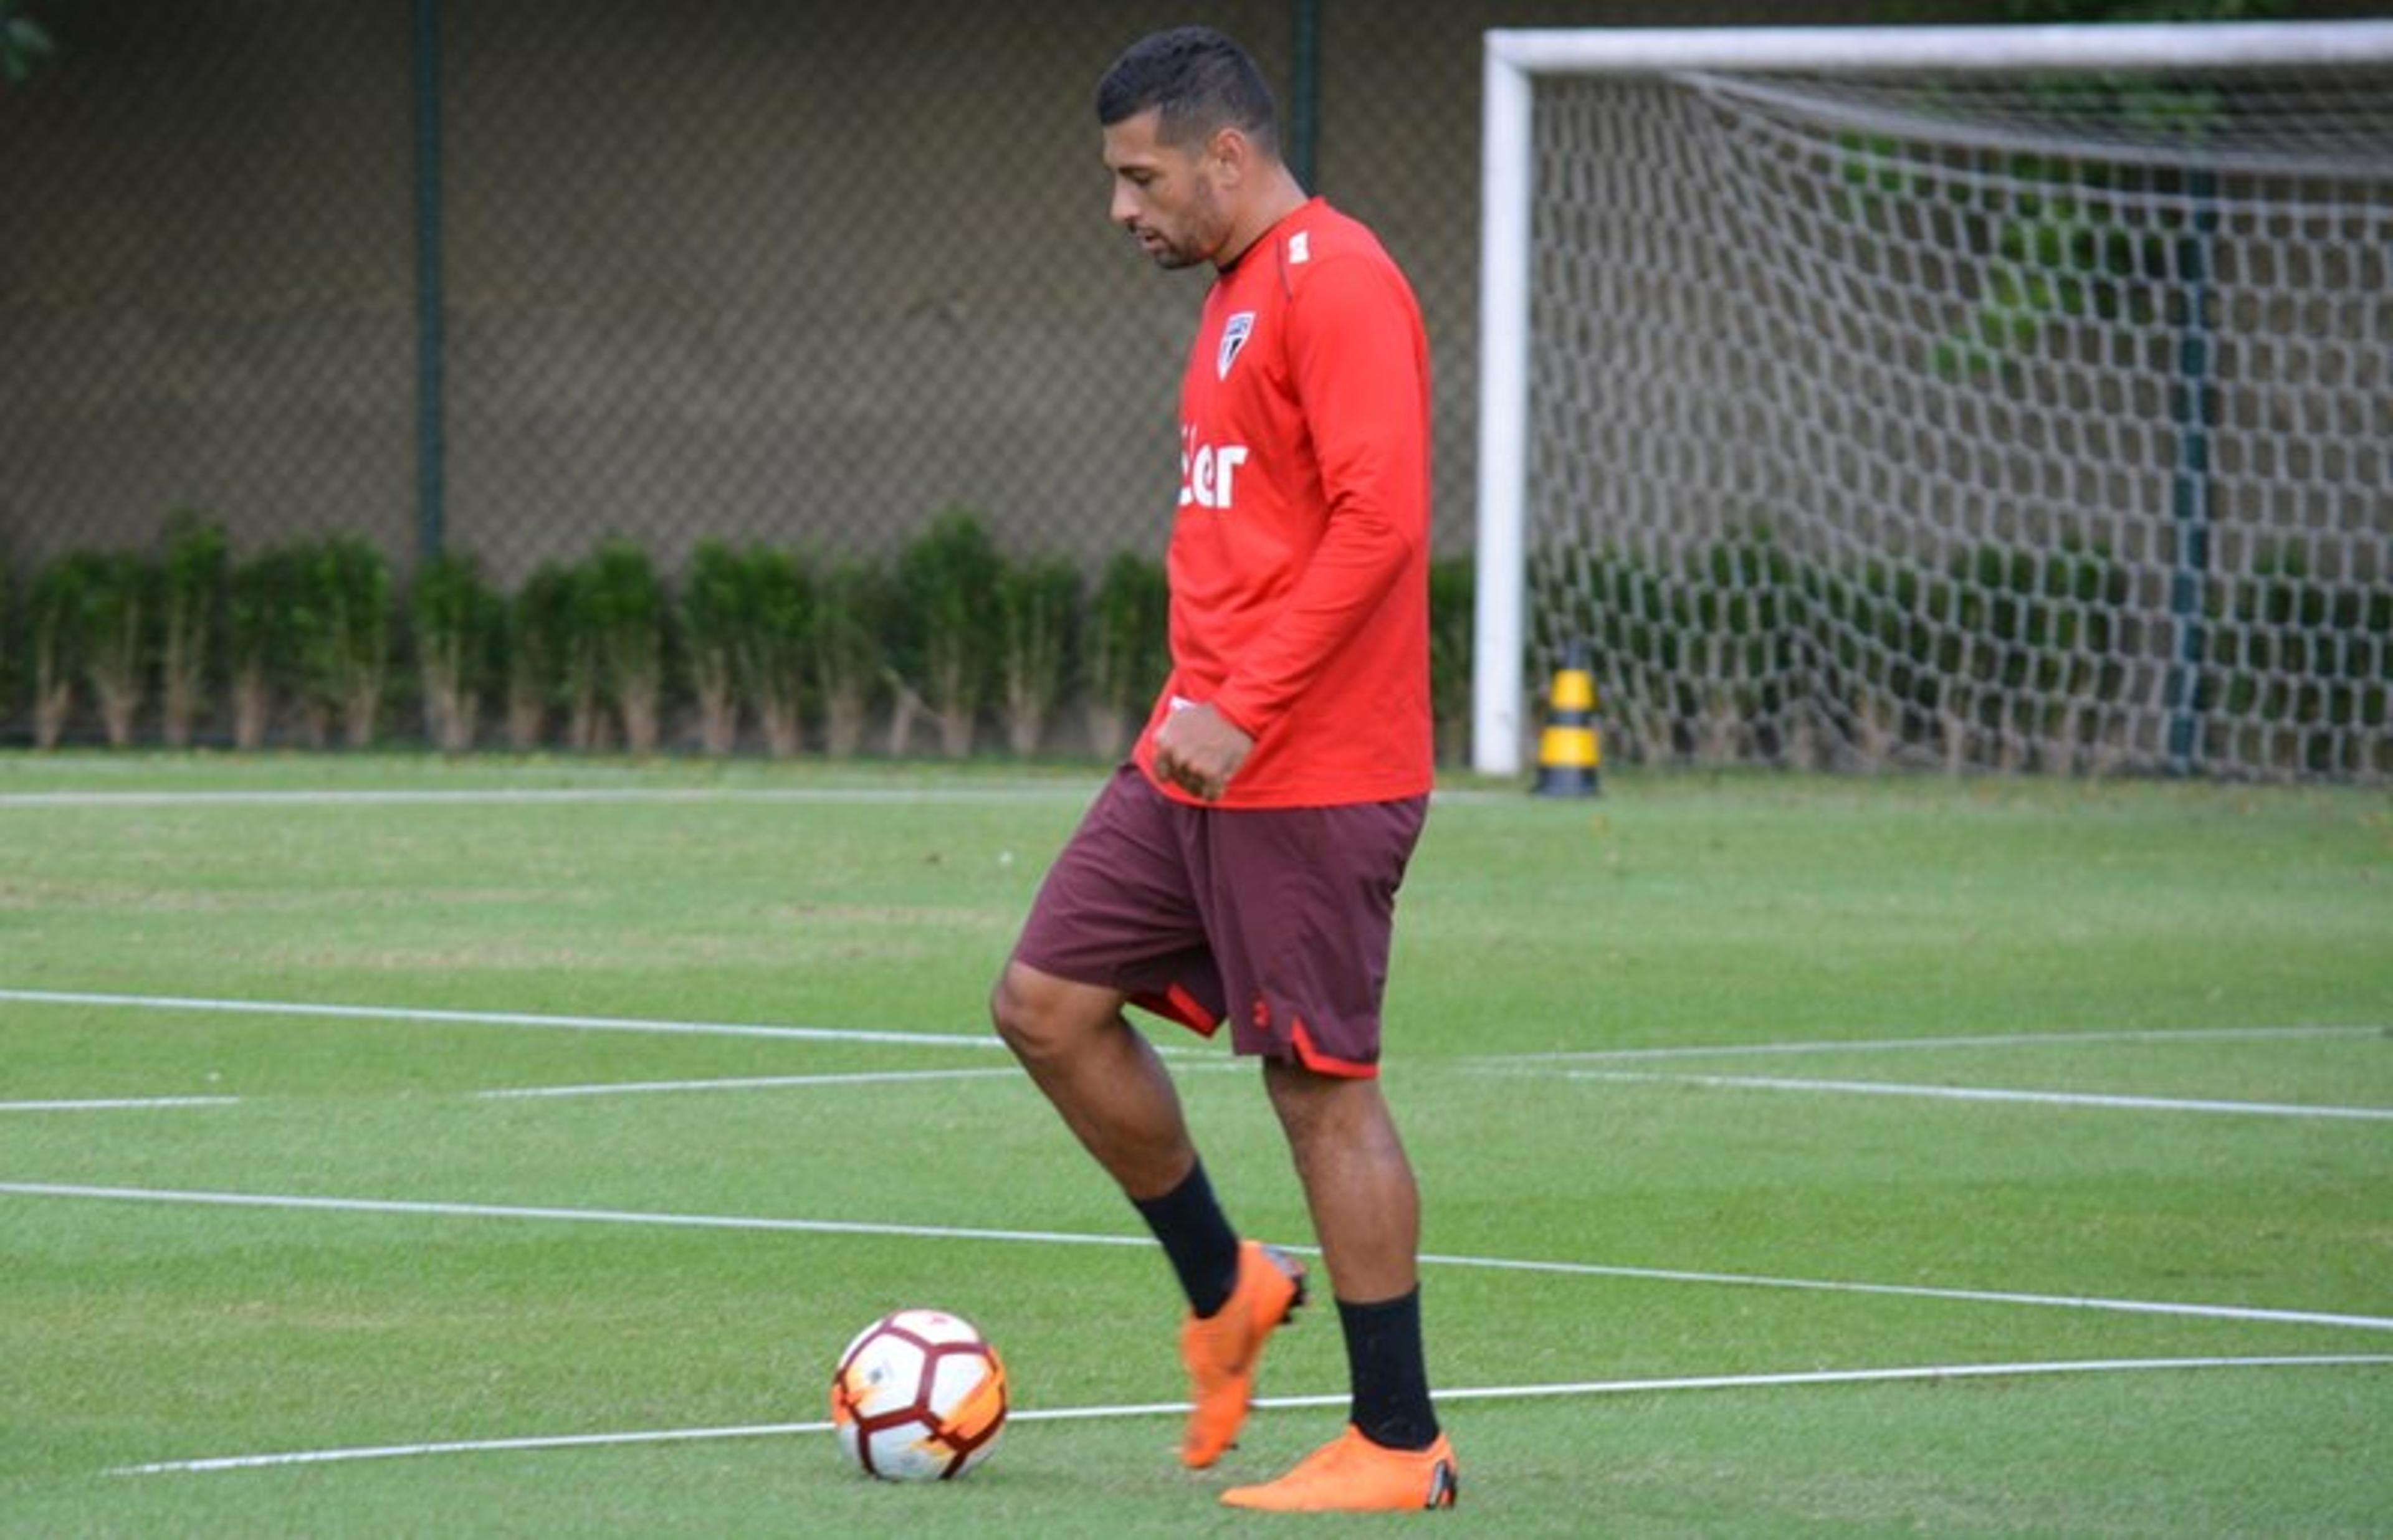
pixel 1358 372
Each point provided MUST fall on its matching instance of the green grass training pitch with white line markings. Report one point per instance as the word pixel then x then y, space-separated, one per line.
pixel 394 1106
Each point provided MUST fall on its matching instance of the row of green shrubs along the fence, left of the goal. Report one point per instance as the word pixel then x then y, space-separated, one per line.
pixel 762 647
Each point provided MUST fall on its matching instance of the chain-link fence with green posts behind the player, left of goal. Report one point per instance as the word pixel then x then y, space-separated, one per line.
pixel 537 279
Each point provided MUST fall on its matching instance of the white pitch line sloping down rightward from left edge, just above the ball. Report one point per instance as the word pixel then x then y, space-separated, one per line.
pixel 946 1233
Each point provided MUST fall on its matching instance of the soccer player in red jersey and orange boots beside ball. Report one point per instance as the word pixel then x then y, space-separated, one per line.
pixel 1243 867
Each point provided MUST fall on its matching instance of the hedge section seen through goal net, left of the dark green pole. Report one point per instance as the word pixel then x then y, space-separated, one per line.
pixel 1739 649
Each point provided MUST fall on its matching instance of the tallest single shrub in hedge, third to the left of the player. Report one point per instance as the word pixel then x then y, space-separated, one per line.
pixel 949 585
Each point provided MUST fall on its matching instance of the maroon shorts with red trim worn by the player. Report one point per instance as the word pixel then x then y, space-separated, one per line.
pixel 1272 919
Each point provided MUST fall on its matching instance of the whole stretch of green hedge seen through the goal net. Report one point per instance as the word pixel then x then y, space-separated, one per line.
pixel 2002 656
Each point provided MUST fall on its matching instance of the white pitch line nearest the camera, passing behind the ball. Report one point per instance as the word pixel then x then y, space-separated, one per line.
pixel 1085 1414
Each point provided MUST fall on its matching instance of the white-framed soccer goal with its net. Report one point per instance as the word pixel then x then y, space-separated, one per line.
pixel 1959 398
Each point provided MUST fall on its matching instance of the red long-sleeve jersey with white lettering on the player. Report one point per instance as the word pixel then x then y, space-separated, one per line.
pixel 1301 551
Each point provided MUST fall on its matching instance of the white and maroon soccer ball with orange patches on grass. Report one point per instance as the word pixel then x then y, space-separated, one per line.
pixel 920 1395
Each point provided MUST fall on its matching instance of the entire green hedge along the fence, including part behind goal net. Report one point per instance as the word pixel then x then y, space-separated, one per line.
pixel 1734 649
